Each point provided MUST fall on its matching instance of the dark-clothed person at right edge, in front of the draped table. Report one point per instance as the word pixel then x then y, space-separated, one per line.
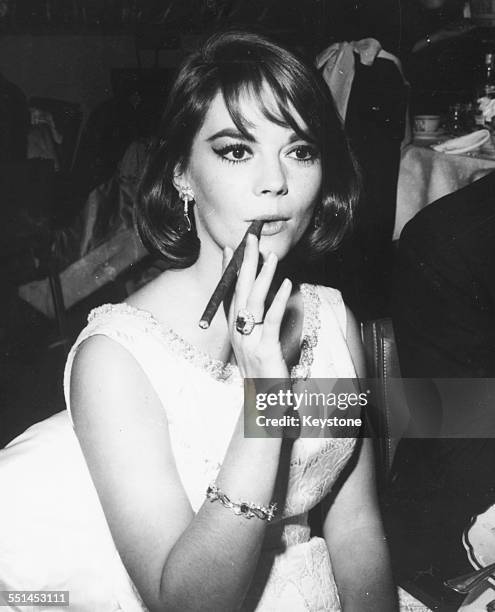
pixel 444 320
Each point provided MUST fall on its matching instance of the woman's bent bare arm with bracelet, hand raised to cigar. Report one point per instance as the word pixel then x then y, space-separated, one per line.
pixel 177 559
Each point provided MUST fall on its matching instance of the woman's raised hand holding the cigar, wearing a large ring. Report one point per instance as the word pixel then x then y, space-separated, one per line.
pixel 258 354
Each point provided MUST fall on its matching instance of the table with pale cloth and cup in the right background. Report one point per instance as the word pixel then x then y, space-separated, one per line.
pixel 426 176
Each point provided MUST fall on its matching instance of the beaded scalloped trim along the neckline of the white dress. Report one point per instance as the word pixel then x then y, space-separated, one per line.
pixel 216 368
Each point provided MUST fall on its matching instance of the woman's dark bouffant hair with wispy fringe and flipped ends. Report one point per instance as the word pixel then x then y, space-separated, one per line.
pixel 235 63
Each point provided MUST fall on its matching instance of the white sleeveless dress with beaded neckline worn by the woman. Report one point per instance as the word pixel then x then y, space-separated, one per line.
pixel 53 533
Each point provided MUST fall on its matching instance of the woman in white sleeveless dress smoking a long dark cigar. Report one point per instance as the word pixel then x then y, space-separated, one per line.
pixel 156 402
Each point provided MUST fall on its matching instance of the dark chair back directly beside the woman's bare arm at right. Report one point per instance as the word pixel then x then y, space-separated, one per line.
pixel 388 413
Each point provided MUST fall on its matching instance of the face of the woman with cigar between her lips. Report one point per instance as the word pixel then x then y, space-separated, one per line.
pixel 273 175
